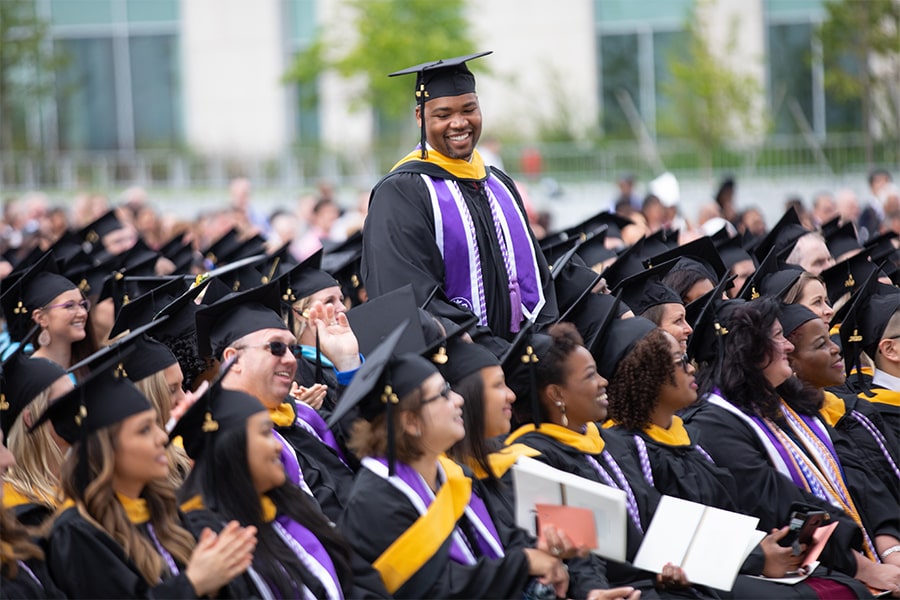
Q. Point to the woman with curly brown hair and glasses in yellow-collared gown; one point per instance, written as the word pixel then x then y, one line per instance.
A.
pixel 652 382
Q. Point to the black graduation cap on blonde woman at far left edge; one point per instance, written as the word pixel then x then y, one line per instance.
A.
pixel 21 380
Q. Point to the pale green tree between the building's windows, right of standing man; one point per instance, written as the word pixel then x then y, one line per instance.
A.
pixel 705 100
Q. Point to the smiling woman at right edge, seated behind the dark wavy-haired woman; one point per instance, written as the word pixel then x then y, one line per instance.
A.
pixel 817 364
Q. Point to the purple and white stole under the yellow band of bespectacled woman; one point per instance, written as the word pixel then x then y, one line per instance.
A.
pixel 410 483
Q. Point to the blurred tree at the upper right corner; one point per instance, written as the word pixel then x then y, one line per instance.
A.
pixel 861 53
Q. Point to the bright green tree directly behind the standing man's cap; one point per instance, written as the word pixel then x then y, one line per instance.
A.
pixel 388 35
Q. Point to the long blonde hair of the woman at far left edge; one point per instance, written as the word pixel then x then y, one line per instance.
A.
pixel 38 457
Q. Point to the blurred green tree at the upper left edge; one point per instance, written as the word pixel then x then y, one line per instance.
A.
pixel 27 62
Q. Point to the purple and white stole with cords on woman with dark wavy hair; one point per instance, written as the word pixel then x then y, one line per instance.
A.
pixel 820 475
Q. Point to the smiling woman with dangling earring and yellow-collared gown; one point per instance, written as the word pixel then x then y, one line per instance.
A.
pixel 572 400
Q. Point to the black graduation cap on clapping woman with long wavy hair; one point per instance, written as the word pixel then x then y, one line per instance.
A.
pixel 104 398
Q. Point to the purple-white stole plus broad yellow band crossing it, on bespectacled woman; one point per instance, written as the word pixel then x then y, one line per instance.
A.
pixel 439 514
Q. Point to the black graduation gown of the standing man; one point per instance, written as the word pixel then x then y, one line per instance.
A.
pixel 399 247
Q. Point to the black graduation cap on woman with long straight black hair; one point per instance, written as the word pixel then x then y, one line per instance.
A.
pixel 218 411
